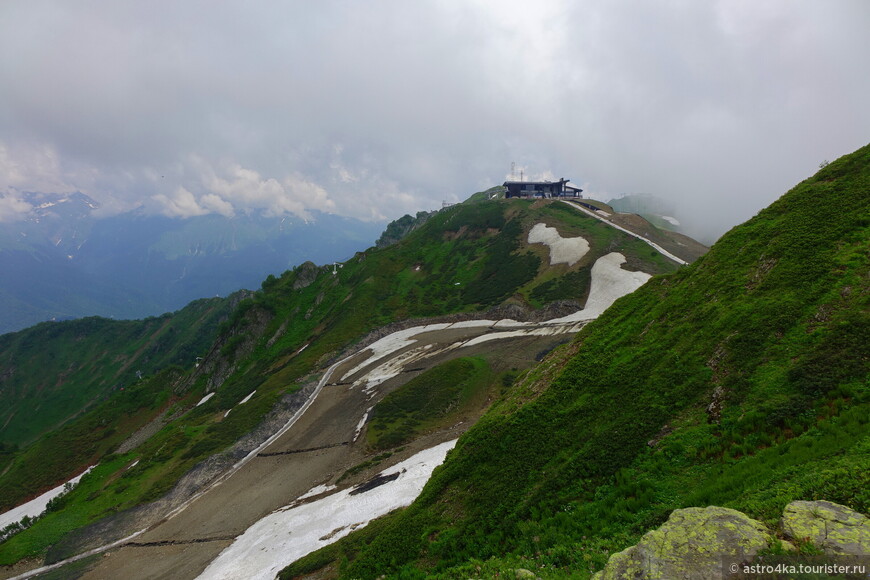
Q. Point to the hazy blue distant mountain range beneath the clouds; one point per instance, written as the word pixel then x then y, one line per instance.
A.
pixel 63 262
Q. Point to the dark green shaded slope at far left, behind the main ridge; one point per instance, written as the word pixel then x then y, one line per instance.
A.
pixel 54 371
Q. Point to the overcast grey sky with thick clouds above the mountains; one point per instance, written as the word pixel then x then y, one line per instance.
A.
pixel 374 109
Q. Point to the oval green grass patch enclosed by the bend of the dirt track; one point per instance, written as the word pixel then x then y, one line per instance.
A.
pixel 426 400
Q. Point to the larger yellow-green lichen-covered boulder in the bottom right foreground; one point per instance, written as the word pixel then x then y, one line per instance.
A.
pixel 691 544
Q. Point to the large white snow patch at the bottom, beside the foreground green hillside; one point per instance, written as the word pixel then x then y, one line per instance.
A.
pixel 286 535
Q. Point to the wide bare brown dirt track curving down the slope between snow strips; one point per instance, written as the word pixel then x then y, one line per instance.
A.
pixel 316 450
